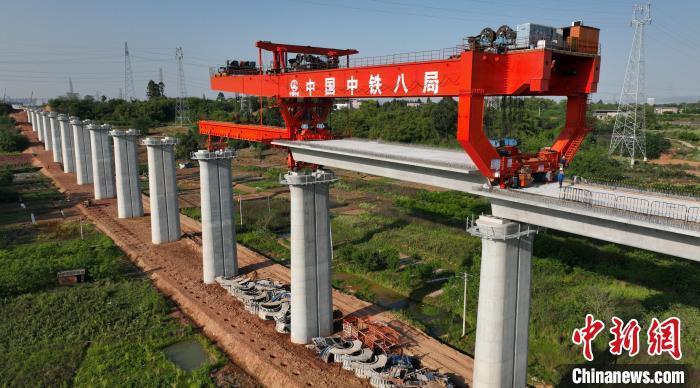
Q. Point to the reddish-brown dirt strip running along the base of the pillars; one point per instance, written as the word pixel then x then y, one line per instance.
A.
pixel 176 270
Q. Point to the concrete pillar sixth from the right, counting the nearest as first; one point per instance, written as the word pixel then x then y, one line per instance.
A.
pixel 102 161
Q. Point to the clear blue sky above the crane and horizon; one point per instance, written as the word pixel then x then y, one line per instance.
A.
pixel 43 43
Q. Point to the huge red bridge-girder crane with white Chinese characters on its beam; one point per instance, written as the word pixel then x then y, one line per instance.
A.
pixel 534 61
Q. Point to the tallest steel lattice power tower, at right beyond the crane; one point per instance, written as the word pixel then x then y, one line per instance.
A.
pixel 628 133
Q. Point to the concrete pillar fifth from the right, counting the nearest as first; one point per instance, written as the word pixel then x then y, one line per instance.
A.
pixel 126 167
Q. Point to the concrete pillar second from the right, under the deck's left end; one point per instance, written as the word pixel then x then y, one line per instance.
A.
pixel 311 304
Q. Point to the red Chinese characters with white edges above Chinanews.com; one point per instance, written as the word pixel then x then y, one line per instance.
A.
pixel 662 337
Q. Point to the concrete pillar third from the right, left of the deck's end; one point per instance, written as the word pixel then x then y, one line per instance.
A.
pixel 219 256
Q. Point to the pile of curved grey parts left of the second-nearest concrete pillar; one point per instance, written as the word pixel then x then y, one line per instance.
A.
pixel 266 298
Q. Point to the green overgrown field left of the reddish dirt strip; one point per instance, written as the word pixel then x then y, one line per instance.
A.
pixel 109 331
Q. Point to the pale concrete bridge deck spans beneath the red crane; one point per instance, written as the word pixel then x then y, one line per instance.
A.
pixel 646 220
